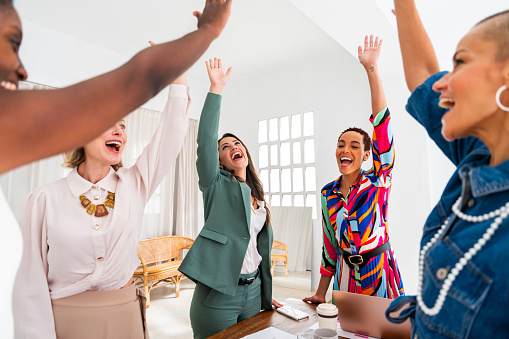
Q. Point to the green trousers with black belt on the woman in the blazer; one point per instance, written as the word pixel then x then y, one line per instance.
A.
pixel 212 311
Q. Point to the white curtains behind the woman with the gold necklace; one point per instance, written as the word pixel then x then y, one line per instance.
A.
pixel 174 207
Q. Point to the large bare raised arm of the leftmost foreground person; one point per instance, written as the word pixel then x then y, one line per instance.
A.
pixel 37 124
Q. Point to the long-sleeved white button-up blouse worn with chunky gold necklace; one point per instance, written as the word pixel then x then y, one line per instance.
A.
pixel 67 251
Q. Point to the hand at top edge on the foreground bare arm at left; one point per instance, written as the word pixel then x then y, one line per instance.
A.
pixel 215 15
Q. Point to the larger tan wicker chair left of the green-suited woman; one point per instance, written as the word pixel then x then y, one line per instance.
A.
pixel 159 262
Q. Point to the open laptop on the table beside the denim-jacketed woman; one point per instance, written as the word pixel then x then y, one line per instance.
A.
pixel 364 314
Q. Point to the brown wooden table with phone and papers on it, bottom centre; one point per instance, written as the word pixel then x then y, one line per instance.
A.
pixel 272 318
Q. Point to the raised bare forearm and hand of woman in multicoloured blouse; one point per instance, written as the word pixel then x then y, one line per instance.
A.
pixel 368 58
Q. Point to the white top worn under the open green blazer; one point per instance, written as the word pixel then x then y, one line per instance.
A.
pixel 253 258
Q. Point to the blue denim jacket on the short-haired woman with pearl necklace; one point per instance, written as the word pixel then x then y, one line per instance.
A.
pixel 477 304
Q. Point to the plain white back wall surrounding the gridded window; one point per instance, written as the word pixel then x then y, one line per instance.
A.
pixel 335 88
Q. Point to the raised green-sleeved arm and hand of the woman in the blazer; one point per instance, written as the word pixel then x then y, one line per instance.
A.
pixel 207 162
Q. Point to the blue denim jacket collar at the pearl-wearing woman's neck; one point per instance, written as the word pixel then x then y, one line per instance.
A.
pixel 483 178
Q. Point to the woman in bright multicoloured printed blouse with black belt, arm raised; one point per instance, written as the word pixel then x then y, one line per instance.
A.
pixel 356 249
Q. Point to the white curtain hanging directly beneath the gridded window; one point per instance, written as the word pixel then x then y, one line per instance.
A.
pixel 293 226
